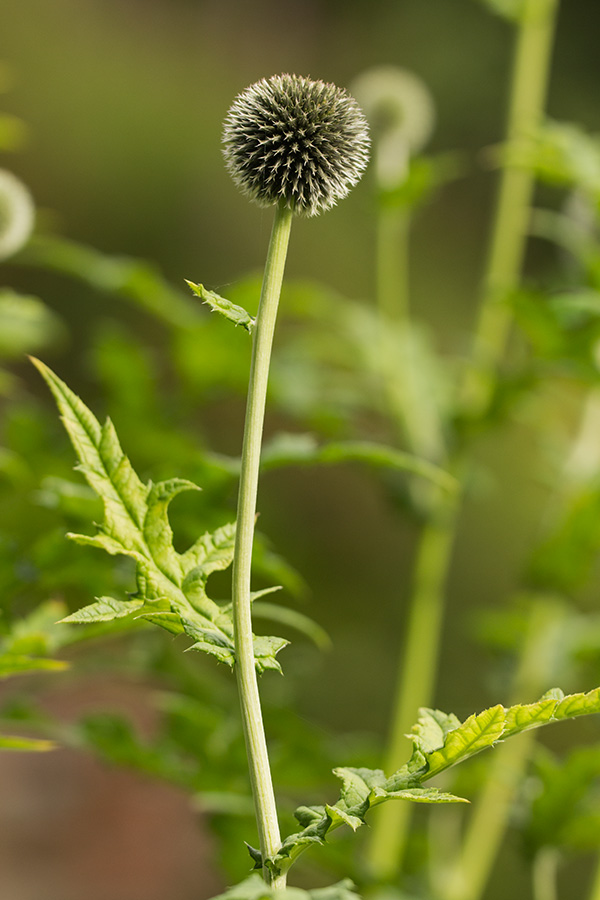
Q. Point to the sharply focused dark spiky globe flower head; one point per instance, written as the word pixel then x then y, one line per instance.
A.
pixel 293 140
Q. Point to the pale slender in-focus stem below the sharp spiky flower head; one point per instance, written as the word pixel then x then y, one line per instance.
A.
pixel 254 733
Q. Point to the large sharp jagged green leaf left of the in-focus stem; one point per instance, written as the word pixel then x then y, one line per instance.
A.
pixel 170 586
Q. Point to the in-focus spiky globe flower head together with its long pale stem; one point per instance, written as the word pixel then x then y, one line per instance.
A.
pixel 299 145
